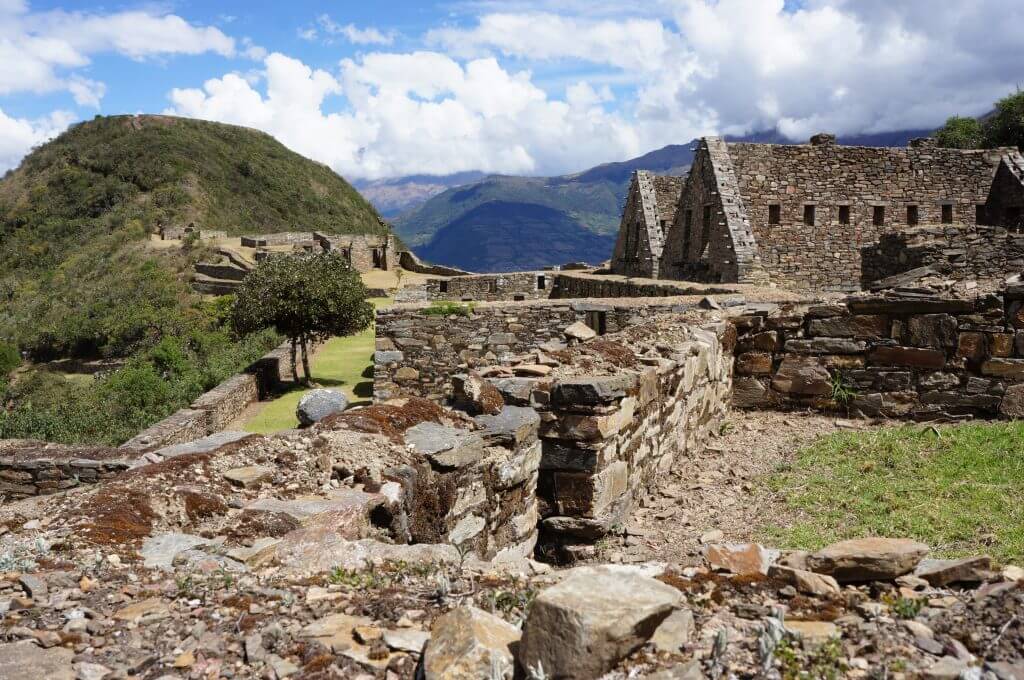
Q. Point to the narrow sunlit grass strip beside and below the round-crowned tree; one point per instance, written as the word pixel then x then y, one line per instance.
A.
pixel 340 364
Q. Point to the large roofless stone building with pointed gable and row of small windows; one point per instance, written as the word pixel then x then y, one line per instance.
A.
pixel 809 216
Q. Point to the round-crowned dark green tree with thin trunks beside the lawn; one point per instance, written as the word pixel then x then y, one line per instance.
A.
pixel 307 300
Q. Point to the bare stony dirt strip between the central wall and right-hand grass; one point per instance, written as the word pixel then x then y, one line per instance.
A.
pixel 720 489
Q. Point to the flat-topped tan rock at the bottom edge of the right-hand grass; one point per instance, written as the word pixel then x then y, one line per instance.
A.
pixel 868 560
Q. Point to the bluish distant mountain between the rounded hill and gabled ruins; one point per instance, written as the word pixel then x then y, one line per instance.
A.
pixel 589 201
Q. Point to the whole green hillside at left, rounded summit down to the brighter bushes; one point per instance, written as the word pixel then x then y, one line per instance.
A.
pixel 80 278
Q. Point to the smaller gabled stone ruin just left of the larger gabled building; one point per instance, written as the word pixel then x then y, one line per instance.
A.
pixel 651 210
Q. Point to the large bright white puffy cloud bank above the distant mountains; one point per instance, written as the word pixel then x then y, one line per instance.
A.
pixel 421 112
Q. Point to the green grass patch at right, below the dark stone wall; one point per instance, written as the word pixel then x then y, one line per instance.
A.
pixel 959 489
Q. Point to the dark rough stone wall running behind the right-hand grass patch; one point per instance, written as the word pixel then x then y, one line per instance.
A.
pixel 898 355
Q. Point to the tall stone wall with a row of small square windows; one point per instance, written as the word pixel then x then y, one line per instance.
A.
pixel 826 177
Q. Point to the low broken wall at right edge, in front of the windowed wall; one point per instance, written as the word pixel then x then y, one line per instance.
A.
pixel 984 254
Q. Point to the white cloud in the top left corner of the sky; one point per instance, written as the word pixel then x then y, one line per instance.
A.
pixel 44 52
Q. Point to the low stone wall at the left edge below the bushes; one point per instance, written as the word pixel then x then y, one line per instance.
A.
pixel 37 469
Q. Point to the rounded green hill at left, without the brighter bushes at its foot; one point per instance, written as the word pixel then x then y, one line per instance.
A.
pixel 77 273
